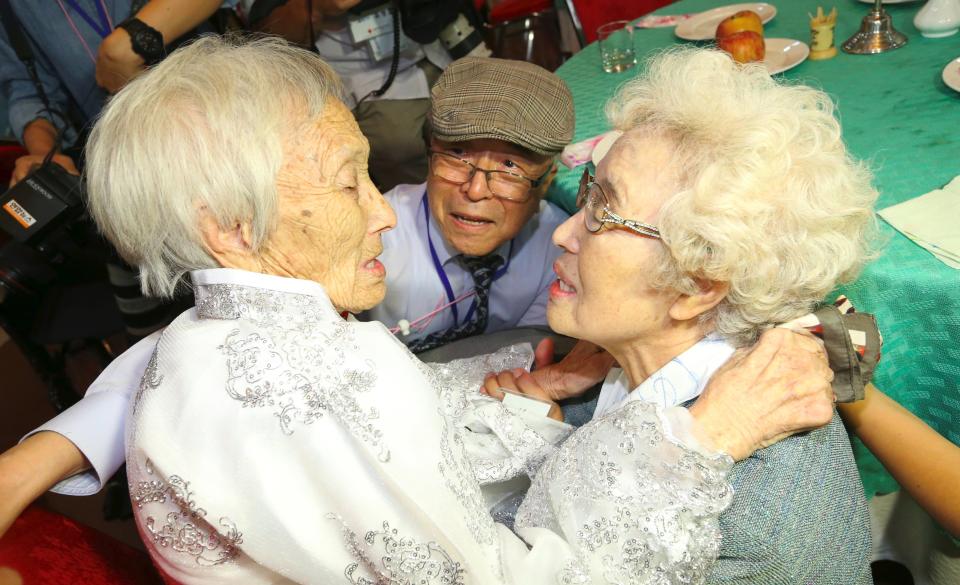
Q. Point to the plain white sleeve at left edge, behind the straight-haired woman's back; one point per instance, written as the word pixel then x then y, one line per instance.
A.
pixel 96 423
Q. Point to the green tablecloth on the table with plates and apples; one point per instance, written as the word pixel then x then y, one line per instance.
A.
pixel 897 114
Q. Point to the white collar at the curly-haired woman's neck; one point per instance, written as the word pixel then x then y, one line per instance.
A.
pixel 682 379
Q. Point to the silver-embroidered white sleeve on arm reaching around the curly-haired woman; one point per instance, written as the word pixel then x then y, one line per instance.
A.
pixel 645 508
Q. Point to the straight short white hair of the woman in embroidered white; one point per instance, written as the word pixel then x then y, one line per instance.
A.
pixel 204 128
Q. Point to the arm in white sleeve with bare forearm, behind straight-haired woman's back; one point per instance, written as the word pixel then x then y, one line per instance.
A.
pixel 79 449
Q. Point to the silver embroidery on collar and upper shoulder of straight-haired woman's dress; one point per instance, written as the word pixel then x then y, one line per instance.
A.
pixel 293 369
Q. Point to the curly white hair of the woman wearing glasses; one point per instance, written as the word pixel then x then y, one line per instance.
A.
pixel 769 199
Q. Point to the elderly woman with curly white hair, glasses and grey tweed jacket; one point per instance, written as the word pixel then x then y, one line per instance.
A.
pixel 729 204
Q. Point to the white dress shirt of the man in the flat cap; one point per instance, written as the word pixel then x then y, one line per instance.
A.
pixel 518 297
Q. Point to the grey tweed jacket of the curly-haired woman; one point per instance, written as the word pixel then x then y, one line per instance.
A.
pixel 798 515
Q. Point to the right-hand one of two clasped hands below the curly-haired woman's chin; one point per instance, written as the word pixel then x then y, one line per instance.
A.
pixel 585 366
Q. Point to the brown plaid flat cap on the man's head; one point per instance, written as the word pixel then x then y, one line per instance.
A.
pixel 513 101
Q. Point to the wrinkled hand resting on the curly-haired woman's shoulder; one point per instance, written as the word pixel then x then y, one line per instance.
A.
pixel 778 388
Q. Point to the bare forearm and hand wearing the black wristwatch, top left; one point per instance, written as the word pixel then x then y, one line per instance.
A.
pixel 117 63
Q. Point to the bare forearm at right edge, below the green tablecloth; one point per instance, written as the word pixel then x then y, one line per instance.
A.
pixel 922 461
